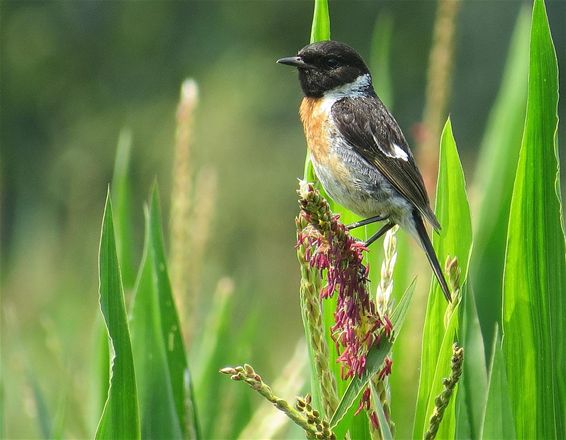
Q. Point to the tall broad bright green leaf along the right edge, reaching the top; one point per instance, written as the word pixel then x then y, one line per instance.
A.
pixel 534 282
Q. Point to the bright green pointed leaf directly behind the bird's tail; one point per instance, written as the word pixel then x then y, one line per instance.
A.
pixel 454 240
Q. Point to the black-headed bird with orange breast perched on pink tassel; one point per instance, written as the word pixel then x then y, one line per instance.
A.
pixel 357 149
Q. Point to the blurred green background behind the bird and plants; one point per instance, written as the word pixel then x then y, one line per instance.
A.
pixel 73 74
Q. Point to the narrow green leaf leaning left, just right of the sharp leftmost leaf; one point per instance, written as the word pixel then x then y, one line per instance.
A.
pixel 180 376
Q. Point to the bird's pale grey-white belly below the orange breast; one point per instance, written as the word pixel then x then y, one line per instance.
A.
pixel 357 186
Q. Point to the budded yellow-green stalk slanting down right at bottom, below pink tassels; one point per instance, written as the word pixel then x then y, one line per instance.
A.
pixel 303 415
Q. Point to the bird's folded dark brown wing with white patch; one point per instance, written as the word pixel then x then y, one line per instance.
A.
pixel 372 132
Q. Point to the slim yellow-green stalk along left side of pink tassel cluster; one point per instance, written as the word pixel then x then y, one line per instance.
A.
pixel 312 320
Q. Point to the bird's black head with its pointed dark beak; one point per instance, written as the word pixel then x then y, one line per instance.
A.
pixel 327 65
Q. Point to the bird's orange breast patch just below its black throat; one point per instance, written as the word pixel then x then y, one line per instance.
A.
pixel 315 123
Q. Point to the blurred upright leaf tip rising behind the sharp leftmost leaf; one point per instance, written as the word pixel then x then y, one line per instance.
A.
pixel 121 198
